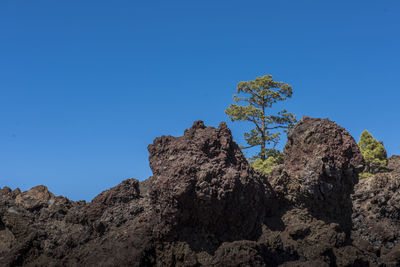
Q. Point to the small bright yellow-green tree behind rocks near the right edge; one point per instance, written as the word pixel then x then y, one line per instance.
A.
pixel 373 151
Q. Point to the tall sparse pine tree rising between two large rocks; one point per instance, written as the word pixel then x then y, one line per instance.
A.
pixel 260 95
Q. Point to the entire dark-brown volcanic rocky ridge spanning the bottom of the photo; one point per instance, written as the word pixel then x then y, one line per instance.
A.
pixel 206 206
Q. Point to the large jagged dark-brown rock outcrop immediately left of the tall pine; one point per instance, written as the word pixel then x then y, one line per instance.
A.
pixel 203 186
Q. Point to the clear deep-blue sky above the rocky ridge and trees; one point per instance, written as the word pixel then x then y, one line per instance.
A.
pixel 85 86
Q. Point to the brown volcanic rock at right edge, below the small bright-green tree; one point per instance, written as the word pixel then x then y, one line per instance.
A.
pixel 376 215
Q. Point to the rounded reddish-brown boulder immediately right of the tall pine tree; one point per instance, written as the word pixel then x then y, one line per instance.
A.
pixel 321 166
